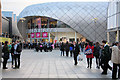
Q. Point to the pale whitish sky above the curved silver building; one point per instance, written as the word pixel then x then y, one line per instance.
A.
pixel 18 5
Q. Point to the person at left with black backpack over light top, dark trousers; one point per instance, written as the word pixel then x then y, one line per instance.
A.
pixel 17 53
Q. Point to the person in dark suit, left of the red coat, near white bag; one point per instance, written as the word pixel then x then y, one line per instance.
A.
pixel 76 51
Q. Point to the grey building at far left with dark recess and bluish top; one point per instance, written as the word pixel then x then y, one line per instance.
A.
pixel 9 26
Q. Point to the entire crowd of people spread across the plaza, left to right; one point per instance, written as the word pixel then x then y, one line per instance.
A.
pixel 104 53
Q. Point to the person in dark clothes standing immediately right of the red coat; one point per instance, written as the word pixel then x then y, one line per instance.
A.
pixel 96 53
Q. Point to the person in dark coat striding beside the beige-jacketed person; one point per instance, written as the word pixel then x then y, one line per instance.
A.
pixel 105 58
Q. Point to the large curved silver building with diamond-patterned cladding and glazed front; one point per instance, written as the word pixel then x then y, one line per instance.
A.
pixel 88 20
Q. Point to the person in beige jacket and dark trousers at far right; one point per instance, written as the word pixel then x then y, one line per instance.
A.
pixel 115 60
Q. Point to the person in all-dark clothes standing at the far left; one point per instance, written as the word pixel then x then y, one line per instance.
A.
pixel 6 54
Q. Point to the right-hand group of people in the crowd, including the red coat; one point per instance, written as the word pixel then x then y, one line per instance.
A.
pixel 104 53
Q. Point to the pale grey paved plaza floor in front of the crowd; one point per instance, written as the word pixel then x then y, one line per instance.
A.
pixel 51 65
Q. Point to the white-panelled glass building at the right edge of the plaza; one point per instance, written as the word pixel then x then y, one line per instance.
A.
pixel 113 21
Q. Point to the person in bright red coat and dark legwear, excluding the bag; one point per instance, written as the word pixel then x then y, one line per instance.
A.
pixel 89 57
